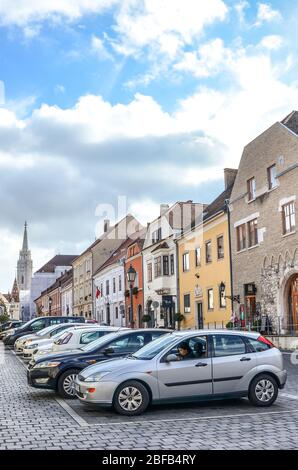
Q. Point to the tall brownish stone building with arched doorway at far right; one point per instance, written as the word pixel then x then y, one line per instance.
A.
pixel 264 237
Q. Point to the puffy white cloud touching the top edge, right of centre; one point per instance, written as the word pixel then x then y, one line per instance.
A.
pixel 164 25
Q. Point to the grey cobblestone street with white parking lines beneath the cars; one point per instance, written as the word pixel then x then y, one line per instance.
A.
pixel 33 419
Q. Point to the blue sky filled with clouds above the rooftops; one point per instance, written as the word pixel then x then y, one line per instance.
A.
pixel 138 101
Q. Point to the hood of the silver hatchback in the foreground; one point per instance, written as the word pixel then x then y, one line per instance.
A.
pixel 112 365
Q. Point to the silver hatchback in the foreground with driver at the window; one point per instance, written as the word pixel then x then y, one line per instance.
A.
pixel 187 366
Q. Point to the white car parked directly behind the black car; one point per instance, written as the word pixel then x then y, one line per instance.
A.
pixel 73 338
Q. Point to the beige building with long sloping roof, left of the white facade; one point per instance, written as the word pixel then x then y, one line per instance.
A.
pixel 89 262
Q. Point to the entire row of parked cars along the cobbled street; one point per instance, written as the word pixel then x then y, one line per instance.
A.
pixel 129 369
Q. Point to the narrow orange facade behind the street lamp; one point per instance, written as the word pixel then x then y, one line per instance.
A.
pixel 134 258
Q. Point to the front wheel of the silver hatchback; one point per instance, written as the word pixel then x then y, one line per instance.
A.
pixel 131 398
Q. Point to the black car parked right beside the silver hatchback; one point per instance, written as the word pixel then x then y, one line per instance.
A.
pixel 58 371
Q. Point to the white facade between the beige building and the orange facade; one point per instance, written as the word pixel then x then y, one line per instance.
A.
pixel 110 305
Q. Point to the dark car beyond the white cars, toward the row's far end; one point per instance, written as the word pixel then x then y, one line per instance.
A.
pixel 37 324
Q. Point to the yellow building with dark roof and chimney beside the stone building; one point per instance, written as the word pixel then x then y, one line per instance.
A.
pixel 204 266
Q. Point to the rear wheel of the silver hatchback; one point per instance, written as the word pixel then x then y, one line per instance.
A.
pixel 263 390
